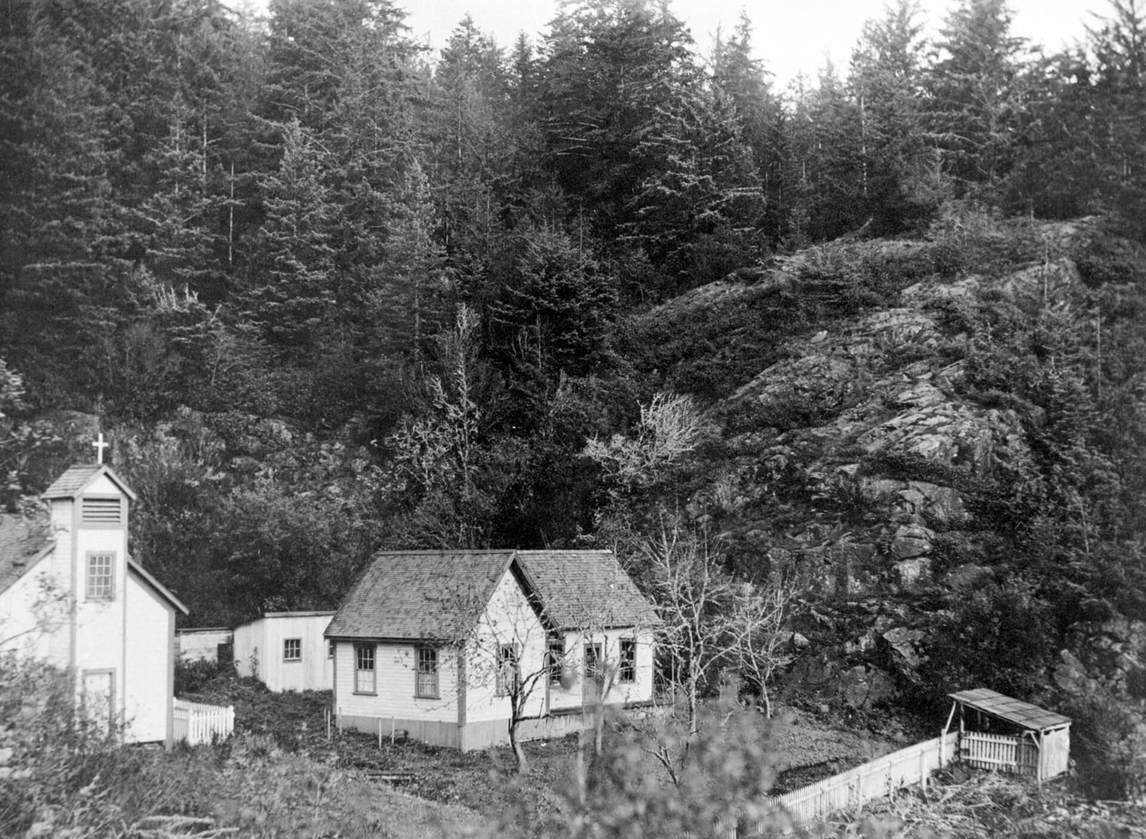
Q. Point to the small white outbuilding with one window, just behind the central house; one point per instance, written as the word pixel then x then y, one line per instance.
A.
pixel 286 650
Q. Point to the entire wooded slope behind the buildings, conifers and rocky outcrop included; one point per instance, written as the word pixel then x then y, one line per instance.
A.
pixel 875 339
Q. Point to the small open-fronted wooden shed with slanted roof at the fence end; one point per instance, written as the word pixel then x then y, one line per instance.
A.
pixel 1009 735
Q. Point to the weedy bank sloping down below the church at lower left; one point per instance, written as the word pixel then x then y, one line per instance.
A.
pixel 60 780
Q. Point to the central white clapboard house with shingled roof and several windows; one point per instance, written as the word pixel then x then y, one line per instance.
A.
pixel 427 644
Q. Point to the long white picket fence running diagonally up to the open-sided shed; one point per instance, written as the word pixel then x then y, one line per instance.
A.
pixel 874 780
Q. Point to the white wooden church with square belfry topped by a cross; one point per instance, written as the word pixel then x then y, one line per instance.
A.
pixel 73 597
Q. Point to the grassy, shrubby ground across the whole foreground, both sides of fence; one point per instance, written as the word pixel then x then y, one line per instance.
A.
pixel 281 777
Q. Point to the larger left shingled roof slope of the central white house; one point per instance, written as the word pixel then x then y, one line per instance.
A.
pixel 420 595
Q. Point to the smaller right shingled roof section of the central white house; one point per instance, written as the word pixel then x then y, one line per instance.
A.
pixel 586 589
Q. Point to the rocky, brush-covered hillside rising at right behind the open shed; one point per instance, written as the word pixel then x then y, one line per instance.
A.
pixel 941 438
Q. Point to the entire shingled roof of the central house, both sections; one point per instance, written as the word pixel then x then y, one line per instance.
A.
pixel 441 595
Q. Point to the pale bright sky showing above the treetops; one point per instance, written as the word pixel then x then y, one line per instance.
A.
pixel 790 36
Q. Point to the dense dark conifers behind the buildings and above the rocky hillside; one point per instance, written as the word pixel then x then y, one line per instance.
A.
pixel 333 293
